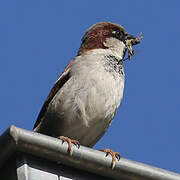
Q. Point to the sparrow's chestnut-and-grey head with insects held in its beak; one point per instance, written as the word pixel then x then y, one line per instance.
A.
pixel 106 35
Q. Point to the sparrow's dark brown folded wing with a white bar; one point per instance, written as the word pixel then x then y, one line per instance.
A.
pixel 58 84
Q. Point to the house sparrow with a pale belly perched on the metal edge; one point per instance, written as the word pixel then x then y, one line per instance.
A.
pixel 86 96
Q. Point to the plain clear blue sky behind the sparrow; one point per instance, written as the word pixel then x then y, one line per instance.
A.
pixel 39 37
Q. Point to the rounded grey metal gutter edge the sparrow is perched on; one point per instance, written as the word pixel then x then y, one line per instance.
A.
pixel 17 139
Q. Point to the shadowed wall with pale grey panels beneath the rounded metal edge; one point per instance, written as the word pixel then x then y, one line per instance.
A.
pixel 33 168
